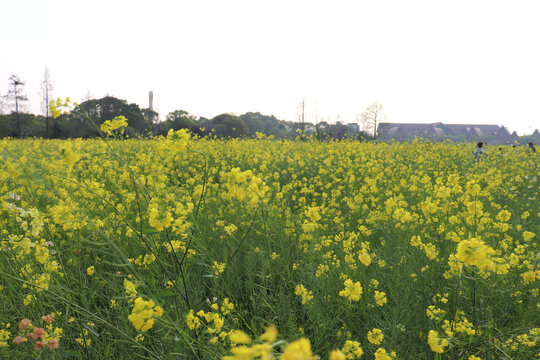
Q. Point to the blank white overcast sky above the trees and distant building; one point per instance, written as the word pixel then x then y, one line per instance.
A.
pixel 459 61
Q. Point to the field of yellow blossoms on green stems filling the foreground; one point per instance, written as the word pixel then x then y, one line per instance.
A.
pixel 182 248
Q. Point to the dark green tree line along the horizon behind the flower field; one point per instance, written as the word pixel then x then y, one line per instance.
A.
pixel 84 119
